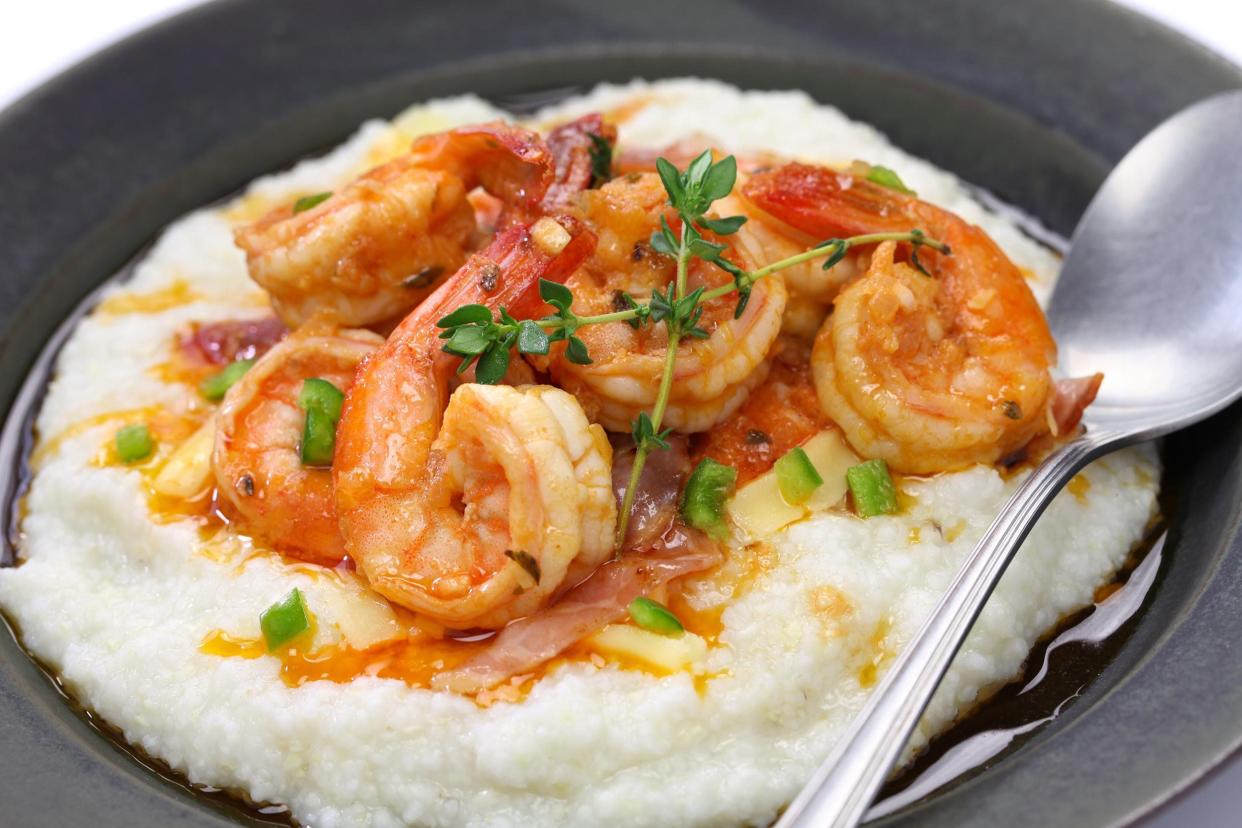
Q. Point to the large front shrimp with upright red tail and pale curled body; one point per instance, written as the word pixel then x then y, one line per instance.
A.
pixel 483 512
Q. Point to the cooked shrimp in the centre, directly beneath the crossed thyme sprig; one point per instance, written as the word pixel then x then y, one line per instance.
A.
pixel 712 376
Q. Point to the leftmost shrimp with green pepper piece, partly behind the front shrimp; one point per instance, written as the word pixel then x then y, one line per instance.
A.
pixel 259 429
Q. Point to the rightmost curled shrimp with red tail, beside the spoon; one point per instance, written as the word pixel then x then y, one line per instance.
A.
pixel 931 374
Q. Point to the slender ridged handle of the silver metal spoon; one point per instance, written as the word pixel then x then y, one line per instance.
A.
pixel 849 780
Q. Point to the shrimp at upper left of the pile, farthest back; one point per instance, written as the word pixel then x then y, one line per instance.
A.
pixel 374 250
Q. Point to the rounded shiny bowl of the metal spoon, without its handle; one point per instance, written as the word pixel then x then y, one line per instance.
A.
pixel 1152 291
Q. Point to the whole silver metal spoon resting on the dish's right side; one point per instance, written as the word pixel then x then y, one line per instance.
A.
pixel 1152 296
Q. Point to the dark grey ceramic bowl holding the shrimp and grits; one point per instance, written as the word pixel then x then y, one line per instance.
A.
pixel 1033 101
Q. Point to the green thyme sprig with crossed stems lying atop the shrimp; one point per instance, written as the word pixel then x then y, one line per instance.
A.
pixel 478 338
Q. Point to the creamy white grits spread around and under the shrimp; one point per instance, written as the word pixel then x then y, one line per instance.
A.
pixel 119 604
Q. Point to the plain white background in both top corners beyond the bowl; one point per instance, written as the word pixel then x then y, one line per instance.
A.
pixel 42 38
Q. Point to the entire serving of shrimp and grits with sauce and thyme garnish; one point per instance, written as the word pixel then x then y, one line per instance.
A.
pixel 583 470
